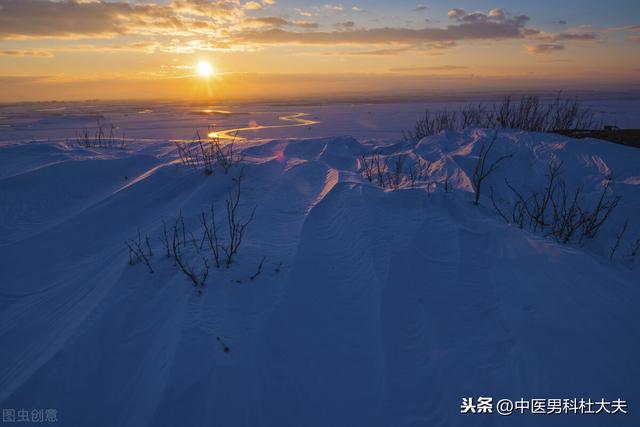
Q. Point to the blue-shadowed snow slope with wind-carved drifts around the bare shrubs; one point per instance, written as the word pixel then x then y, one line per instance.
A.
pixel 374 308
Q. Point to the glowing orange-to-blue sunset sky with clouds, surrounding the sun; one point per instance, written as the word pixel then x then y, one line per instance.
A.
pixel 272 49
